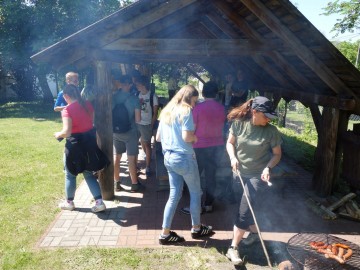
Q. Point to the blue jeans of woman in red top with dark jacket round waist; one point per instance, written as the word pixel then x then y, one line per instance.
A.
pixel 70 184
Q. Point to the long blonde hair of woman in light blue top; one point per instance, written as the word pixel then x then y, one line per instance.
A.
pixel 179 105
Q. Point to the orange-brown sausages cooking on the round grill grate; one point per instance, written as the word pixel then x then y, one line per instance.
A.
pixel 336 251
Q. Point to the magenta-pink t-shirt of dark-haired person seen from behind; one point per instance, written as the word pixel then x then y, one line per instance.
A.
pixel 209 117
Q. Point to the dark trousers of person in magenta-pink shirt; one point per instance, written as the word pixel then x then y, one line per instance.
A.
pixel 208 159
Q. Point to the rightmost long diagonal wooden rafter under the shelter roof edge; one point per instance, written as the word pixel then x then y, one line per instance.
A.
pixel 275 25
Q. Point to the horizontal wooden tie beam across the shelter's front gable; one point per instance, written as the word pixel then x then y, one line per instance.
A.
pixel 191 46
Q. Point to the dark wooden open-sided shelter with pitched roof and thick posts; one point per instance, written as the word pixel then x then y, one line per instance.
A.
pixel 281 51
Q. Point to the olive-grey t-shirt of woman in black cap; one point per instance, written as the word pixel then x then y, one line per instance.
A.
pixel 253 145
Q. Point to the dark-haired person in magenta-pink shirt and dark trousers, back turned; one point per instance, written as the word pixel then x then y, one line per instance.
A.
pixel 209 117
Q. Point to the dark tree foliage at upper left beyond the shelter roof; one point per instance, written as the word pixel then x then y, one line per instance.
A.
pixel 27 26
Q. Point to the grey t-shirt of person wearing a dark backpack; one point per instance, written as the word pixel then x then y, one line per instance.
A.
pixel 131 103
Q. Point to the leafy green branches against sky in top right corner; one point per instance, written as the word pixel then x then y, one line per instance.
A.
pixel 350 12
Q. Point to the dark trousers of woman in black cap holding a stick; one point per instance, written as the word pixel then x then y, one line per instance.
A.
pixel 244 218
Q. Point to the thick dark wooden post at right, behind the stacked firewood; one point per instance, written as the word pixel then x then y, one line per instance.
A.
pixel 323 178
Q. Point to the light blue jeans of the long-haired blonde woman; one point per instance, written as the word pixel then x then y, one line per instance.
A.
pixel 182 167
